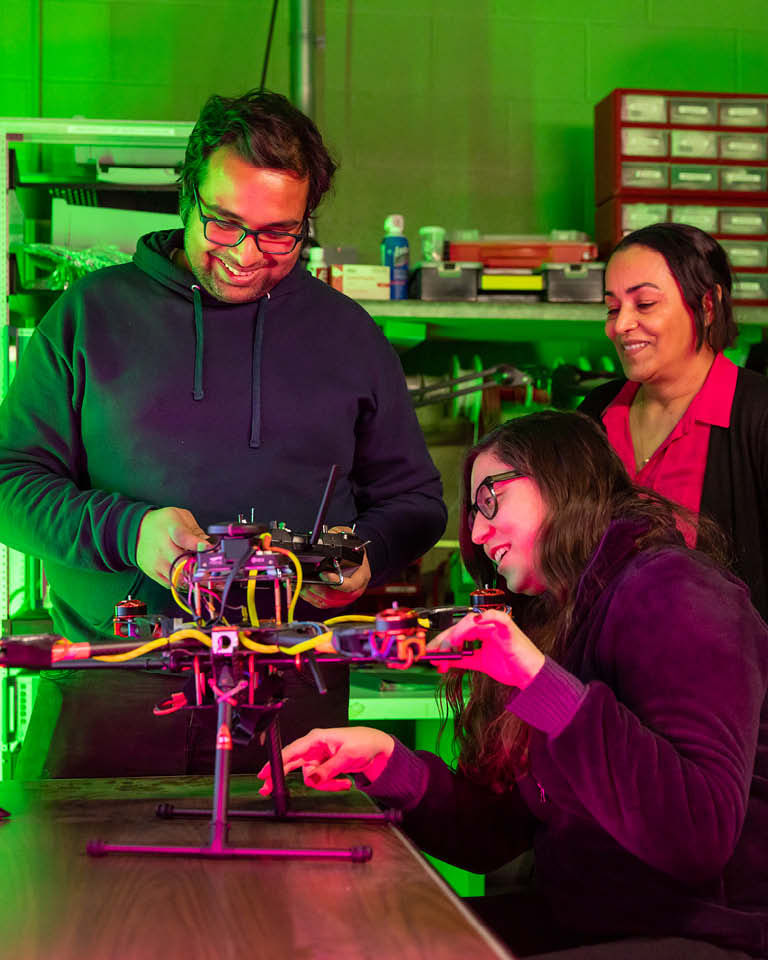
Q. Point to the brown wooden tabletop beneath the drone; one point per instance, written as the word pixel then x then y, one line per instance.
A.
pixel 58 903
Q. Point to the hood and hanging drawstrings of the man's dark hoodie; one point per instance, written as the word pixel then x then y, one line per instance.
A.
pixel 153 257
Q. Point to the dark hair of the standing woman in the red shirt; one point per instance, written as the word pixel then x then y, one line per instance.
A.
pixel 700 266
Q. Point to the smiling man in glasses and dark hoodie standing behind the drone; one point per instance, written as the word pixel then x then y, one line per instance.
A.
pixel 212 377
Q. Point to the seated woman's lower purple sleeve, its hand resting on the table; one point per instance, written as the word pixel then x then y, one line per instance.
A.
pixel 448 815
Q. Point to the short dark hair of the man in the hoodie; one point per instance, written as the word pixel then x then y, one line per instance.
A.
pixel 267 131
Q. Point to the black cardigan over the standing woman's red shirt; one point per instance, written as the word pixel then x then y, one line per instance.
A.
pixel 735 491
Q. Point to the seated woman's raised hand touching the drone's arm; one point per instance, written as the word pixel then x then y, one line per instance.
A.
pixel 504 651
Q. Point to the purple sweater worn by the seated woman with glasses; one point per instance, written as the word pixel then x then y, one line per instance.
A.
pixel 646 800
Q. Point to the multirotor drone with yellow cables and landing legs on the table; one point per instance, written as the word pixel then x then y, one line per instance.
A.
pixel 235 659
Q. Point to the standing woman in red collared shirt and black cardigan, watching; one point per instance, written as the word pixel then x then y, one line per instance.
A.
pixel 687 422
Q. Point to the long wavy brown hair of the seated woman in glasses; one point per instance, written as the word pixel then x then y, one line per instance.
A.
pixel 584 487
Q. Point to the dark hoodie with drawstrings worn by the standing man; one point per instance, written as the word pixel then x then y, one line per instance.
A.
pixel 140 390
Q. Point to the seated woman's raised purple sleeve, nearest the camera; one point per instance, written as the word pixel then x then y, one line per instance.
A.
pixel 660 751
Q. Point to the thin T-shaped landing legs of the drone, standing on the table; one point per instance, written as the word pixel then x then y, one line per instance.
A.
pixel 219 825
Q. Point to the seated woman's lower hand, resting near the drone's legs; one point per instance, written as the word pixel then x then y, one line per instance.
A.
pixel 324 755
